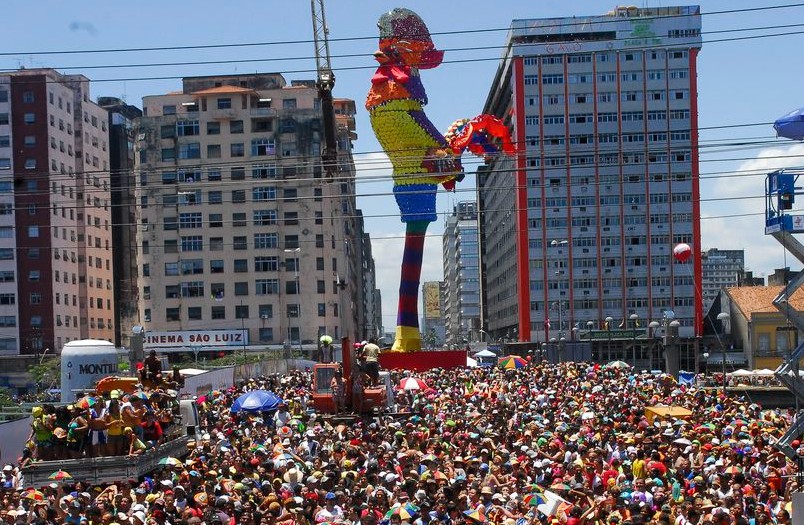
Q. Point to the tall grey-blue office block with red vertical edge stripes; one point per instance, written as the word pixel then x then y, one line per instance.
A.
pixel 581 225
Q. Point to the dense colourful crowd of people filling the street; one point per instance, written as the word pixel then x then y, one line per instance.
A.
pixel 544 444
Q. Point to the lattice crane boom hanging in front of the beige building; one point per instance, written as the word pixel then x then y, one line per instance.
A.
pixel 325 83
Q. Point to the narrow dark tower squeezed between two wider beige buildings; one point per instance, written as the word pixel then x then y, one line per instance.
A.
pixel 124 217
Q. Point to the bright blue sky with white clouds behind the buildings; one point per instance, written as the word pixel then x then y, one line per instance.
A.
pixel 741 82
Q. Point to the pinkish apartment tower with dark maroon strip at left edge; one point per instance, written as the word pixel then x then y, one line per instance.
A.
pixel 55 213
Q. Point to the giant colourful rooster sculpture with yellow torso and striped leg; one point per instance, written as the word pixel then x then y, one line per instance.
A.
pixel 422 158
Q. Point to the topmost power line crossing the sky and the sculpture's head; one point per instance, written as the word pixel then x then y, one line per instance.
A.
pixel 373 37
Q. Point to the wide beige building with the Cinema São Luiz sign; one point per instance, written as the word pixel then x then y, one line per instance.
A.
pixel 239 231
